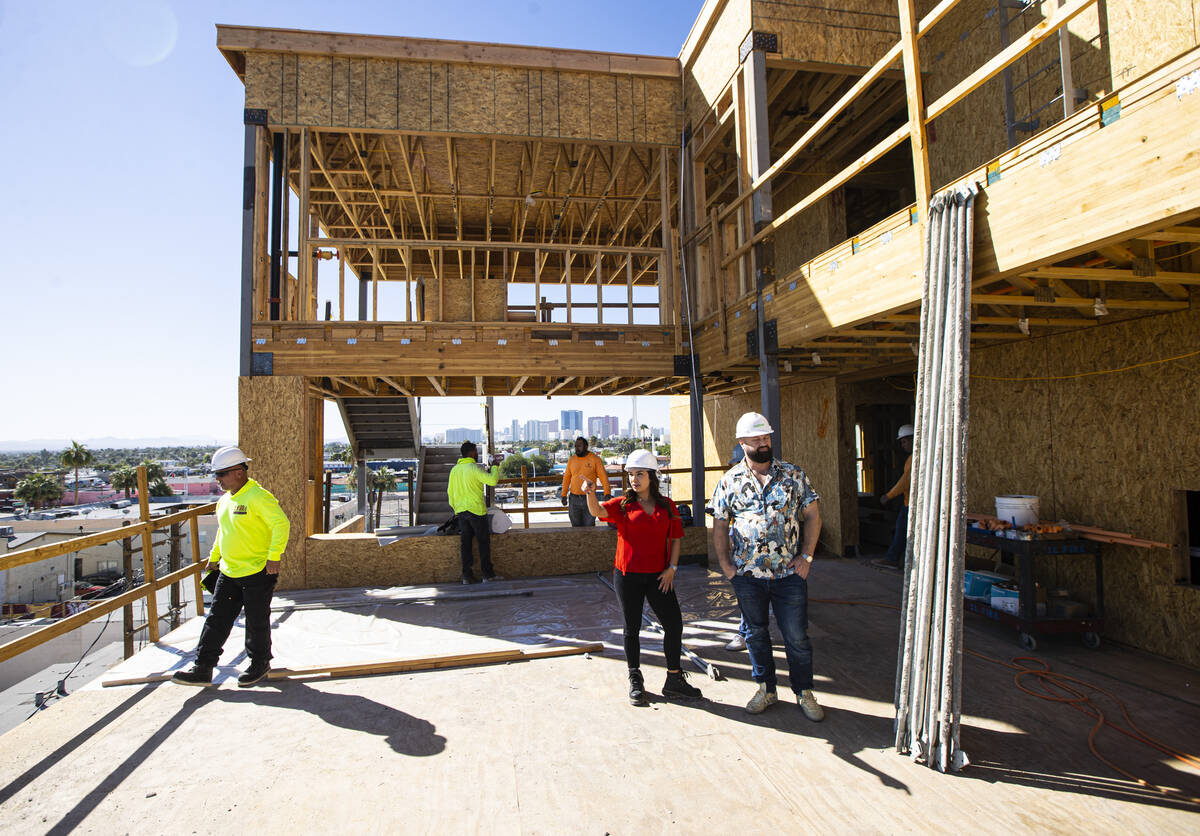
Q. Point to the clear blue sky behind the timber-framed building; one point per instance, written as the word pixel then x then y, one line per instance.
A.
pixel 122 183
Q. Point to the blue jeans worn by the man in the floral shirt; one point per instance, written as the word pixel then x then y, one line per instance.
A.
pixel 789 598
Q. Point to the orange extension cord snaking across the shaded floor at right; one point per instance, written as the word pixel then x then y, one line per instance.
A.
pixel 1079 701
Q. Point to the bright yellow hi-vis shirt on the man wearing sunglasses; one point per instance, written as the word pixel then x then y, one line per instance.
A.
pixel 251 531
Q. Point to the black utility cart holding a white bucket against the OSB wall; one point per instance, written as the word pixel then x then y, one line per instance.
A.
pixel 1027 620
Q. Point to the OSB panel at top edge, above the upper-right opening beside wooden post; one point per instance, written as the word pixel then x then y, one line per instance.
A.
pixel 854 33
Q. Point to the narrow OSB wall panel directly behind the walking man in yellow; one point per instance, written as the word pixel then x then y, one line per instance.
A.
pixel 271 431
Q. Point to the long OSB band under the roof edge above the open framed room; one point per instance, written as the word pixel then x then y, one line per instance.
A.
pixel 383 94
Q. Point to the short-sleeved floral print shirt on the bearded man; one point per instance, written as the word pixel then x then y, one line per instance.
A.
pixel 765 520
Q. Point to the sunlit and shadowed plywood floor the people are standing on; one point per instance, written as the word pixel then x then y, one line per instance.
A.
pixel 551 747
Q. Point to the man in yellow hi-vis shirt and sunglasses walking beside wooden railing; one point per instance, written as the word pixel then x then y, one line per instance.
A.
pixel 253 533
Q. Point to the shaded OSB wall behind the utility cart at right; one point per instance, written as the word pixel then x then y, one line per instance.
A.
pixel 1106 450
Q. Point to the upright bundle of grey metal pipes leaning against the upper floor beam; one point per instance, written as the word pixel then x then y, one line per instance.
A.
pixel 928 694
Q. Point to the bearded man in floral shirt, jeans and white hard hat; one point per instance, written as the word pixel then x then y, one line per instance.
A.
pixel 763 507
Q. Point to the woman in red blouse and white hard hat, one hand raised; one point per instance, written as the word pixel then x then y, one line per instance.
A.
pixel 649 534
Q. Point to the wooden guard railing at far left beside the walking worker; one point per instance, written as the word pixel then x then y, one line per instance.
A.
pixel 147 591
